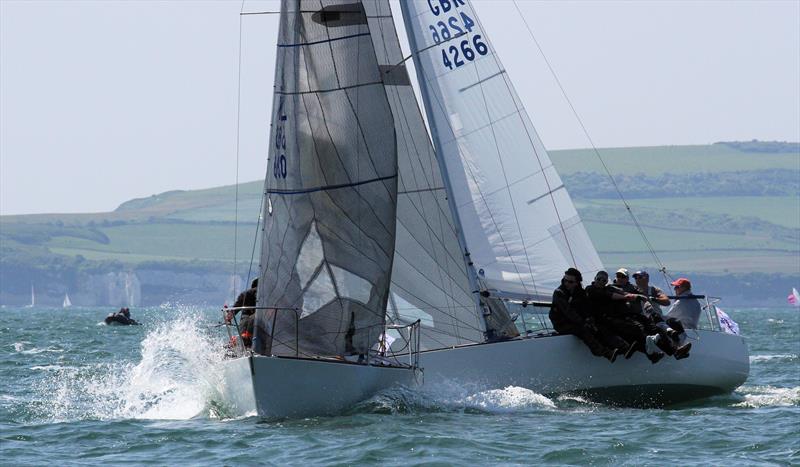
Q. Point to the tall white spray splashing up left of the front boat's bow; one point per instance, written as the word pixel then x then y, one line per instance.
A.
pixel 178 377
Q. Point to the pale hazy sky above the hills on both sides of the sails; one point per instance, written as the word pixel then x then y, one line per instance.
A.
pixel 105 101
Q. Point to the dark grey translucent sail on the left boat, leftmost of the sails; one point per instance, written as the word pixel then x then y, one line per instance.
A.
pixel 329 221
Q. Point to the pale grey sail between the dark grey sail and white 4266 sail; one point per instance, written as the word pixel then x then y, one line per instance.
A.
pixel 429 276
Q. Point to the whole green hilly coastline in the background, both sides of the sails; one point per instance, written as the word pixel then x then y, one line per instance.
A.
pixel 726 208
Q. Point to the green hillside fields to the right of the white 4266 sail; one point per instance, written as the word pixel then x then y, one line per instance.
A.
pixel 713 234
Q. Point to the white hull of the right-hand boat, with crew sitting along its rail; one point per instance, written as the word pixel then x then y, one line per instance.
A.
pixel 718 364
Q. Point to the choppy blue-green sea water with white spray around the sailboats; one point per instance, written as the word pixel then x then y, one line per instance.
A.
pixel 74 391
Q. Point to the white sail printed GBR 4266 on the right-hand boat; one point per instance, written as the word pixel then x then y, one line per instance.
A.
pixel 519 223
